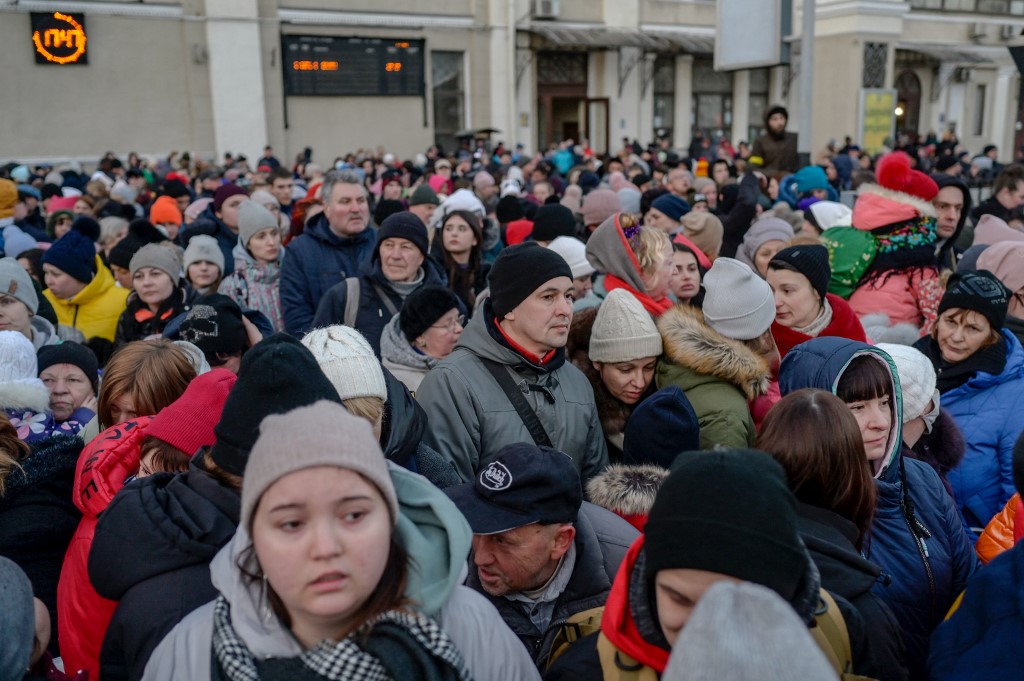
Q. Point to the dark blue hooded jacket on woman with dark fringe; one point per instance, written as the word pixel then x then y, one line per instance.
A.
pixel 918 538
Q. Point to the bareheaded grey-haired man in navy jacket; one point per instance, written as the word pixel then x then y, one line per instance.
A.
pixel 334 247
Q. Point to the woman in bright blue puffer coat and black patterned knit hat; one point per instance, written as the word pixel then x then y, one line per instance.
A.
pixel 980 370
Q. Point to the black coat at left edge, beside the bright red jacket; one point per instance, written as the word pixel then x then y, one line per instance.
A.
pixel 38 519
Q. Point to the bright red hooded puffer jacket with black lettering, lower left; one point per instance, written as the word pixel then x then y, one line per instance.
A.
pixel 82 615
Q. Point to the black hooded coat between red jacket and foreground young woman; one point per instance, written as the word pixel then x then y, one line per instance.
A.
pixel 152 552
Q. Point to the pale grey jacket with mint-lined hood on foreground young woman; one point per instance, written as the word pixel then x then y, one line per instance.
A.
pixel 432 529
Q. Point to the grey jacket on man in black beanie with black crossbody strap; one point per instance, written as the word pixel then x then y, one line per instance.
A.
pixel 472 417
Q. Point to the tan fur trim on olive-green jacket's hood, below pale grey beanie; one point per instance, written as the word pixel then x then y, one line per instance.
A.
pixel 692 344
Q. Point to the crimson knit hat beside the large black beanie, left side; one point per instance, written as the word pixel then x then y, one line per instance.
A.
pixel 188 422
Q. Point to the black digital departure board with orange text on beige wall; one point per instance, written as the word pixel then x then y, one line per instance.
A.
pixel 328 66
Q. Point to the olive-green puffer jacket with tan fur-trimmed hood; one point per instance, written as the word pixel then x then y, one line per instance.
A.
pixel 718 375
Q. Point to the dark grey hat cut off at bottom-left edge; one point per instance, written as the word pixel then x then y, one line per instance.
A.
pixel 18 621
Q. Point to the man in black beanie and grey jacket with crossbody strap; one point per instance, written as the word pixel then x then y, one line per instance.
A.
pixel 507 381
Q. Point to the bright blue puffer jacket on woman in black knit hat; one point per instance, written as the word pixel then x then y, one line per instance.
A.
pixel 988 410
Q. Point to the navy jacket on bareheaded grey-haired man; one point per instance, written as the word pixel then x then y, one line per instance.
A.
pixel 316 262
